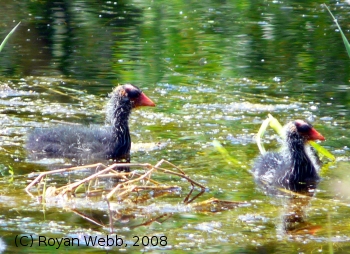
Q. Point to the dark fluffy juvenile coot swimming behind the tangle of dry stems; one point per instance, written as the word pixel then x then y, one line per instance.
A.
pixel 82 142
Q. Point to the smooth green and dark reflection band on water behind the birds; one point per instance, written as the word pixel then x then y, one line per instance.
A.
pixel 143 40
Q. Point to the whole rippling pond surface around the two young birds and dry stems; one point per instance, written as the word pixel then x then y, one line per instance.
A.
pixel 215 70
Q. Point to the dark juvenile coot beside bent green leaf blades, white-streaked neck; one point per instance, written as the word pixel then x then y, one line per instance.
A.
pixel 296 166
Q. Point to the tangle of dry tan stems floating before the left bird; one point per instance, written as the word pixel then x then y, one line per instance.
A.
pixel 126 182
